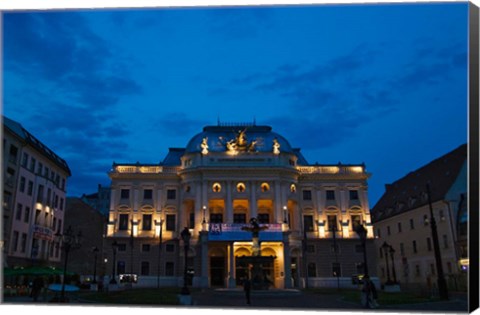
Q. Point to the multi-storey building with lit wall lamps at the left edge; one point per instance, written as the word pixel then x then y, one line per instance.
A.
pixel 34 189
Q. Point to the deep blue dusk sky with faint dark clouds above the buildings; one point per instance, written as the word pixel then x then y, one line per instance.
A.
pixel 384 84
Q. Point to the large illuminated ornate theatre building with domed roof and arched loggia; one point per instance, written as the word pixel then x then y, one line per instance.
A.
pixel 226 175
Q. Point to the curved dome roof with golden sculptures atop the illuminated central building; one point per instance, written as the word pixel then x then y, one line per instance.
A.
pixel 247 138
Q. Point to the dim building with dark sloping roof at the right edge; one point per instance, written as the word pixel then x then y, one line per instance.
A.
pixel 402 220
